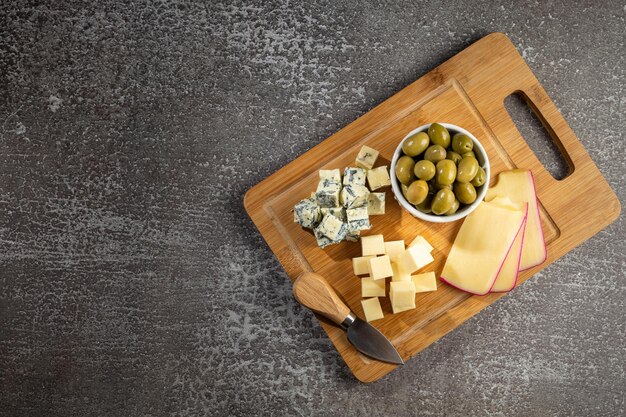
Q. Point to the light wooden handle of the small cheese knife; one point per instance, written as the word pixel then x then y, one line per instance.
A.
pixel 314 292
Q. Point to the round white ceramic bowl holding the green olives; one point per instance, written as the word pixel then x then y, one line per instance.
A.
pixel 483 160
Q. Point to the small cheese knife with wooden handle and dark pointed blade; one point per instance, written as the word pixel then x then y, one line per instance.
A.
pixel 314 292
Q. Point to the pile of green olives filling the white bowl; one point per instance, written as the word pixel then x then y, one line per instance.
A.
pixel 439 174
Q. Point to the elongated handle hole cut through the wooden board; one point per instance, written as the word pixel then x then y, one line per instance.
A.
pixel 538 138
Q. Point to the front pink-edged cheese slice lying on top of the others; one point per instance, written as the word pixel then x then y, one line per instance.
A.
pixel 482 244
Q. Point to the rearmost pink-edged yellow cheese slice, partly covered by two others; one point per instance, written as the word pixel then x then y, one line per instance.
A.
pixel 519 186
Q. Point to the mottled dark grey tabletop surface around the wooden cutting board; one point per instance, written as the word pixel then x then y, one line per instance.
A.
pixel 132 281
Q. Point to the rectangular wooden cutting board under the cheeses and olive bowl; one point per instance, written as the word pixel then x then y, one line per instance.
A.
pixel 468 90
